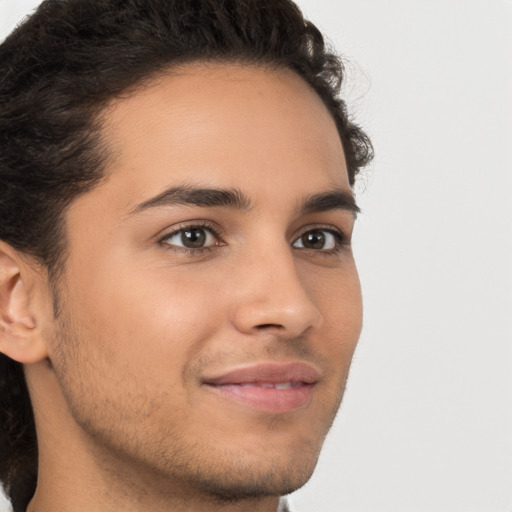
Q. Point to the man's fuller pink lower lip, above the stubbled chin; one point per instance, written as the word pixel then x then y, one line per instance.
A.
pixel 266 399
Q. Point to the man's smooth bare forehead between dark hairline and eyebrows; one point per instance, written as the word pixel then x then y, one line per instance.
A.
pixel 264 132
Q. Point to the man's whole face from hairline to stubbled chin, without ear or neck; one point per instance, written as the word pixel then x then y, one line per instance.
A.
pixel 206 337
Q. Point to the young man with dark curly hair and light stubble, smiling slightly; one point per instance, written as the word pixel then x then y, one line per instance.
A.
pixel 179 303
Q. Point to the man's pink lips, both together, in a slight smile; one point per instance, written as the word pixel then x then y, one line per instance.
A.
pixel 272 387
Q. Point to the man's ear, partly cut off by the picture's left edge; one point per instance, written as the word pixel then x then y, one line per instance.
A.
pixel 20 334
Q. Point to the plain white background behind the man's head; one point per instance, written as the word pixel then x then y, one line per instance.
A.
pixel 426 424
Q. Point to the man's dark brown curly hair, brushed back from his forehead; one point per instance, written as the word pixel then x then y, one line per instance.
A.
pixel 59 69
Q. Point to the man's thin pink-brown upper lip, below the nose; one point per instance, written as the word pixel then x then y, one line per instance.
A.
pixel 267 372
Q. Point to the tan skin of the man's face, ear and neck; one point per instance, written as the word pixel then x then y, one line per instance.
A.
pixel 124 421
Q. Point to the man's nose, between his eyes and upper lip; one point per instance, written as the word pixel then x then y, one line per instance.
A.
pixel 271 297
